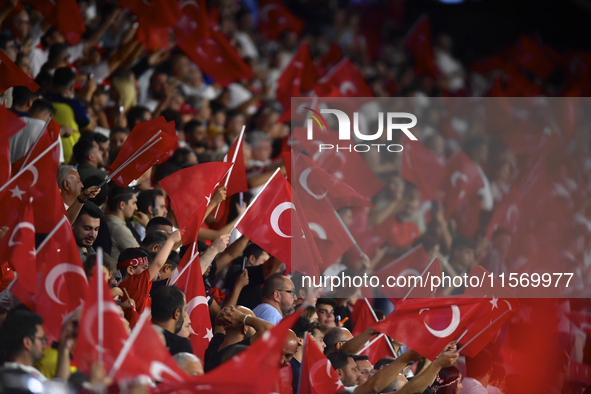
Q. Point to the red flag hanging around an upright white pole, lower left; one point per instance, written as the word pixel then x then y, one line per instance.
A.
pixel 114 333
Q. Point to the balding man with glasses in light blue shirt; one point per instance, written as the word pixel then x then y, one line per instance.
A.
pixel 278 299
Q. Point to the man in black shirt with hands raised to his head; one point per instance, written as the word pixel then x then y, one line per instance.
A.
pixel 242 328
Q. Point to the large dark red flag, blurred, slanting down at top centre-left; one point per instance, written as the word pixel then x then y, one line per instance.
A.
pixel 212 52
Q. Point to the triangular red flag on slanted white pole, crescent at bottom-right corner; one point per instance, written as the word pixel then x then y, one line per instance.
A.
pixel 145 355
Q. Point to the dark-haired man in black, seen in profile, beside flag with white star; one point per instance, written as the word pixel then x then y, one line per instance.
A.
pixel 169 308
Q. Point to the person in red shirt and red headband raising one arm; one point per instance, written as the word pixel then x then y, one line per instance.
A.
pixel 138 272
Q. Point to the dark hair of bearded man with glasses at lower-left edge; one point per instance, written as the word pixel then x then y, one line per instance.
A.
pixel 20 323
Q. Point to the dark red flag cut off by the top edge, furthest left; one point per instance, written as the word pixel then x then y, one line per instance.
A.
pixel 64 16
